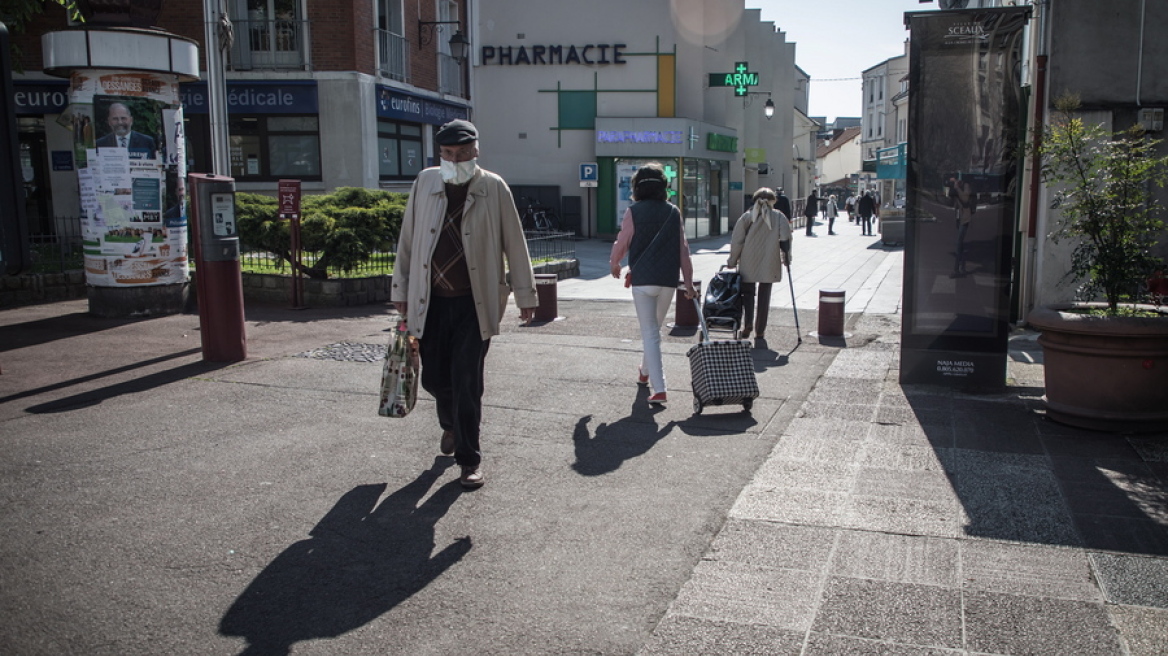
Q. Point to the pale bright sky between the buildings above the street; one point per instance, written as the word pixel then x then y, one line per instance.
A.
pixel 839 39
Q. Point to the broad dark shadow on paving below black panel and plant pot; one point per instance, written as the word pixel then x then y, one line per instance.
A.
pixel 1023 478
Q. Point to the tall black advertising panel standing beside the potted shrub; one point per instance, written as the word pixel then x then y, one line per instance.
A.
pixel 965 104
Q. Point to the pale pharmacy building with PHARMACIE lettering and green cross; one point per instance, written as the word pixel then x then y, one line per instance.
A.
pixel 618 85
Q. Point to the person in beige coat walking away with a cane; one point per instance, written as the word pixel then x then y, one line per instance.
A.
pixel 761 247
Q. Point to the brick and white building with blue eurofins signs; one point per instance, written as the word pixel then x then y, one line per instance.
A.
pixel 332 94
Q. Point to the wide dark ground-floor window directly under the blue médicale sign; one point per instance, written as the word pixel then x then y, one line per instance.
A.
pixel 274 146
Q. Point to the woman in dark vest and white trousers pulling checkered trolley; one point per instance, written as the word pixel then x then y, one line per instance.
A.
pixel 653 238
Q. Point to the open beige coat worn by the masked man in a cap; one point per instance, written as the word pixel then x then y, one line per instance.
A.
pixel 491 231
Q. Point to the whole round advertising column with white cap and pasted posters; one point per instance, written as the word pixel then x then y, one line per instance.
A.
pixel 127 121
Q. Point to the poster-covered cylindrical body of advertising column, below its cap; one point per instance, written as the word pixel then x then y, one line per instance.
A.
pixel 131 178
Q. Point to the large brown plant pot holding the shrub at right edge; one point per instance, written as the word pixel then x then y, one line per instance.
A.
pixel 1104 374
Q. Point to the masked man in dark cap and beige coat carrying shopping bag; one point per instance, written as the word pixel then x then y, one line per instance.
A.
pixel 461 235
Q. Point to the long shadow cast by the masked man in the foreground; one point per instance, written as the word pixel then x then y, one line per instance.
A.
pixel 363 560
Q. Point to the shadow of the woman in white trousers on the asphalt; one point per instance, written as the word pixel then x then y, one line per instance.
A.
pixel 607 449
